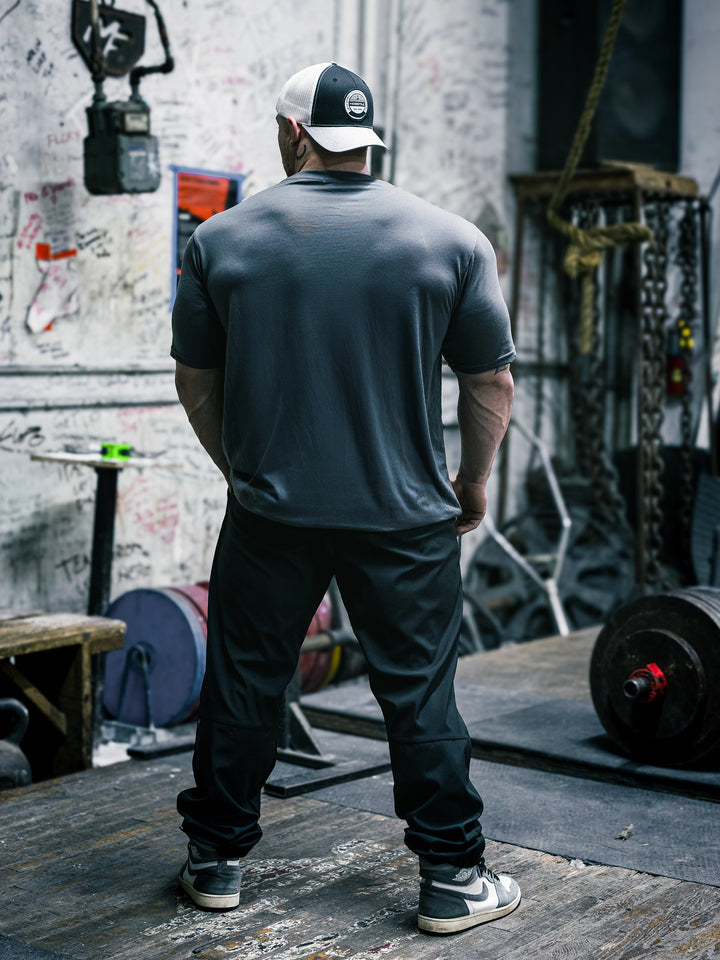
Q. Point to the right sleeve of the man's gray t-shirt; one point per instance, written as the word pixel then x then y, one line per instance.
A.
pixel 478 337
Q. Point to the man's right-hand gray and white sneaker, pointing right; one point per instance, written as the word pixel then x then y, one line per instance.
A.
pixel 456 898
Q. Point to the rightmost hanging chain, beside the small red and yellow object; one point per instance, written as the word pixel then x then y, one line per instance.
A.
pixel 688 262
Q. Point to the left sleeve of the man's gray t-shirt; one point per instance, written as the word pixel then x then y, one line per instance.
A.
pixel 198 336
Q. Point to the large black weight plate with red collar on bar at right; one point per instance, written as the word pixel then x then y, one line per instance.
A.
pixel 680 632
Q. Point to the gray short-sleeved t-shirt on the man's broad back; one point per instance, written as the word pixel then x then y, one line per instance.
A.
pixel 330 299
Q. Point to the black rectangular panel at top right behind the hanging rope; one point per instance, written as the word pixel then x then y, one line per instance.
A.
pixel 638 116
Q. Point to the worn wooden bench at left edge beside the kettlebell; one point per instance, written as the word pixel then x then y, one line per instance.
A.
pixel 46 663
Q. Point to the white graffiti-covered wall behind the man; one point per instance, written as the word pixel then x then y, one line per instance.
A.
pixel 85 280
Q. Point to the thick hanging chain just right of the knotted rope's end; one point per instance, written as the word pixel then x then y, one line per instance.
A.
pixel 652 384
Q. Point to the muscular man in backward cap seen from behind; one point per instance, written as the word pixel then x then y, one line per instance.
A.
pixel 309 330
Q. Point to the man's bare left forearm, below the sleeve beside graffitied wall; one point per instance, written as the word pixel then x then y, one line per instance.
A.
pixel 201 394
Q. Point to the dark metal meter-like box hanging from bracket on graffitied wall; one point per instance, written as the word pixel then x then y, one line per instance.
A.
pixel 121 155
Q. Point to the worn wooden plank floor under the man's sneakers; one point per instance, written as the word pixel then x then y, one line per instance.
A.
pixel 89 866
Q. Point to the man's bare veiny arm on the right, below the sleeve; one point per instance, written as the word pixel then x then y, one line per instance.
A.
pixel 484 407
